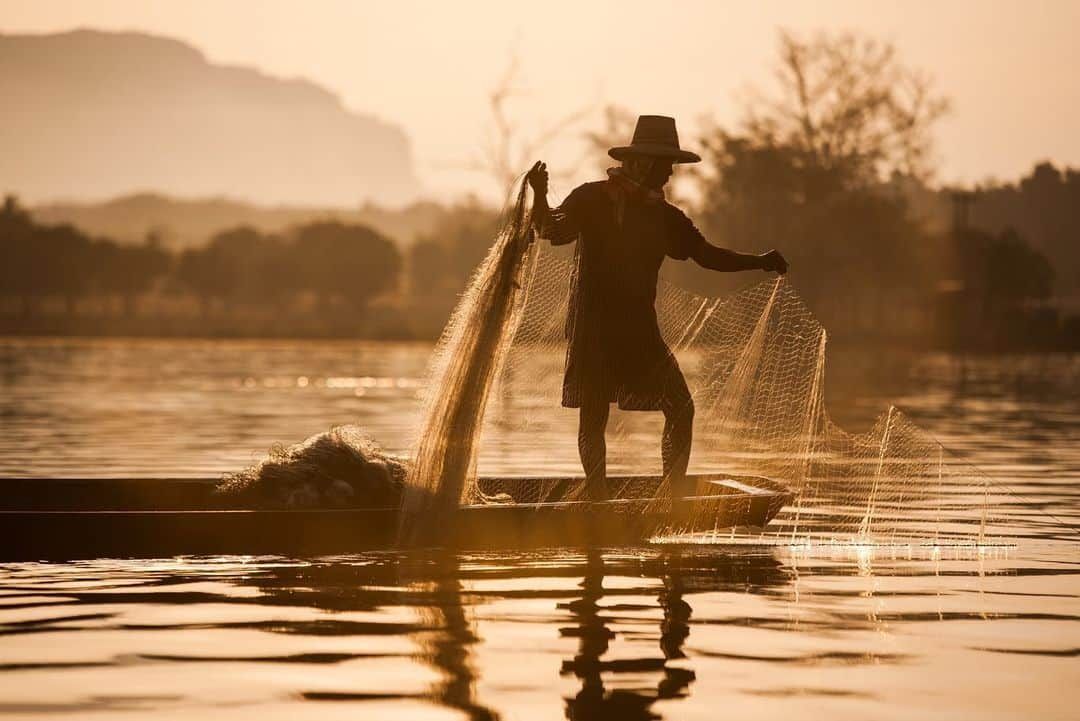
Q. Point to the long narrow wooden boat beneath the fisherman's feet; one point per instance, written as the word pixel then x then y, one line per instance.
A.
pixel 80 519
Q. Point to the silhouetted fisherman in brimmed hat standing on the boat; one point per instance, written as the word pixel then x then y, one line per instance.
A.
pixel 625 230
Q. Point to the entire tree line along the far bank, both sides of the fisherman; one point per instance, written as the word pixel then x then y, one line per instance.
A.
pixel 833 166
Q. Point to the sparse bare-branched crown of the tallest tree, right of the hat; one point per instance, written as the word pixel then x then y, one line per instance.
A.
pixel 847 100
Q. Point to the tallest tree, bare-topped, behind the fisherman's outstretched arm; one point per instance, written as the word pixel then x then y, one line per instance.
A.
pixel 814 171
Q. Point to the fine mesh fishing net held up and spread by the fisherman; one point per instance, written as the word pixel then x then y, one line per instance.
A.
pixel 755 364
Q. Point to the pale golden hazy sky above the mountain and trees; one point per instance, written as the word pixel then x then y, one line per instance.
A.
pixel 1009 67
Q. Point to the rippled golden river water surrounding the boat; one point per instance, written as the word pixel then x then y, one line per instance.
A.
pixel 703 633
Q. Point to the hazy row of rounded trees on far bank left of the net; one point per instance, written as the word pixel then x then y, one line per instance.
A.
pixel 319 277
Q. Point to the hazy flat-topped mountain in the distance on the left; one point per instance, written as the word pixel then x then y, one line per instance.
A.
pixel 91 115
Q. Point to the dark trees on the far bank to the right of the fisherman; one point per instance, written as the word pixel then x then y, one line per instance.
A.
pixel 834 166
